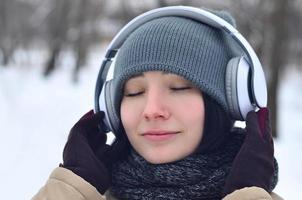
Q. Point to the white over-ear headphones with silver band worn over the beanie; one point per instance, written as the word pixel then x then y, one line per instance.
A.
pixel 245 81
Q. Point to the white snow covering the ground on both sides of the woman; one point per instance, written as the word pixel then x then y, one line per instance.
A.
pixel 36 115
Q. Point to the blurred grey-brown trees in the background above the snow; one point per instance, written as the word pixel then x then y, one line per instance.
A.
pixel 271 26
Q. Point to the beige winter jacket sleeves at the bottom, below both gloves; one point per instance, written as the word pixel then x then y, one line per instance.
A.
pixel 63 184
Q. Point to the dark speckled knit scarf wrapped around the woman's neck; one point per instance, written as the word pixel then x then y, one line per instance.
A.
pixel 198 176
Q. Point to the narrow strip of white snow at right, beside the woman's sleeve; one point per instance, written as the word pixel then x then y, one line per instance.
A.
pixel 288 146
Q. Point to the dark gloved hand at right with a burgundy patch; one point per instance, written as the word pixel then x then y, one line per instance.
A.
pixel 254 163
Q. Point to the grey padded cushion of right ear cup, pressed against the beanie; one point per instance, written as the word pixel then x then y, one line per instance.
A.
pixel 231 87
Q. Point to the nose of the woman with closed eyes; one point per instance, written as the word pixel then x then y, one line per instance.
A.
pixel 155 106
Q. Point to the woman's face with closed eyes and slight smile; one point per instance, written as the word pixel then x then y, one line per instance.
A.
pixel 163 116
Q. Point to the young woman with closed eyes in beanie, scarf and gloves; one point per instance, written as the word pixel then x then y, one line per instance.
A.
pixel 177 138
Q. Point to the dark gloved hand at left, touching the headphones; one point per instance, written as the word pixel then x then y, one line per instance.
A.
pixel 87 154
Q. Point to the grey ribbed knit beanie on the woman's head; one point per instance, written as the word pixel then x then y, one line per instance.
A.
pixel 182 46
